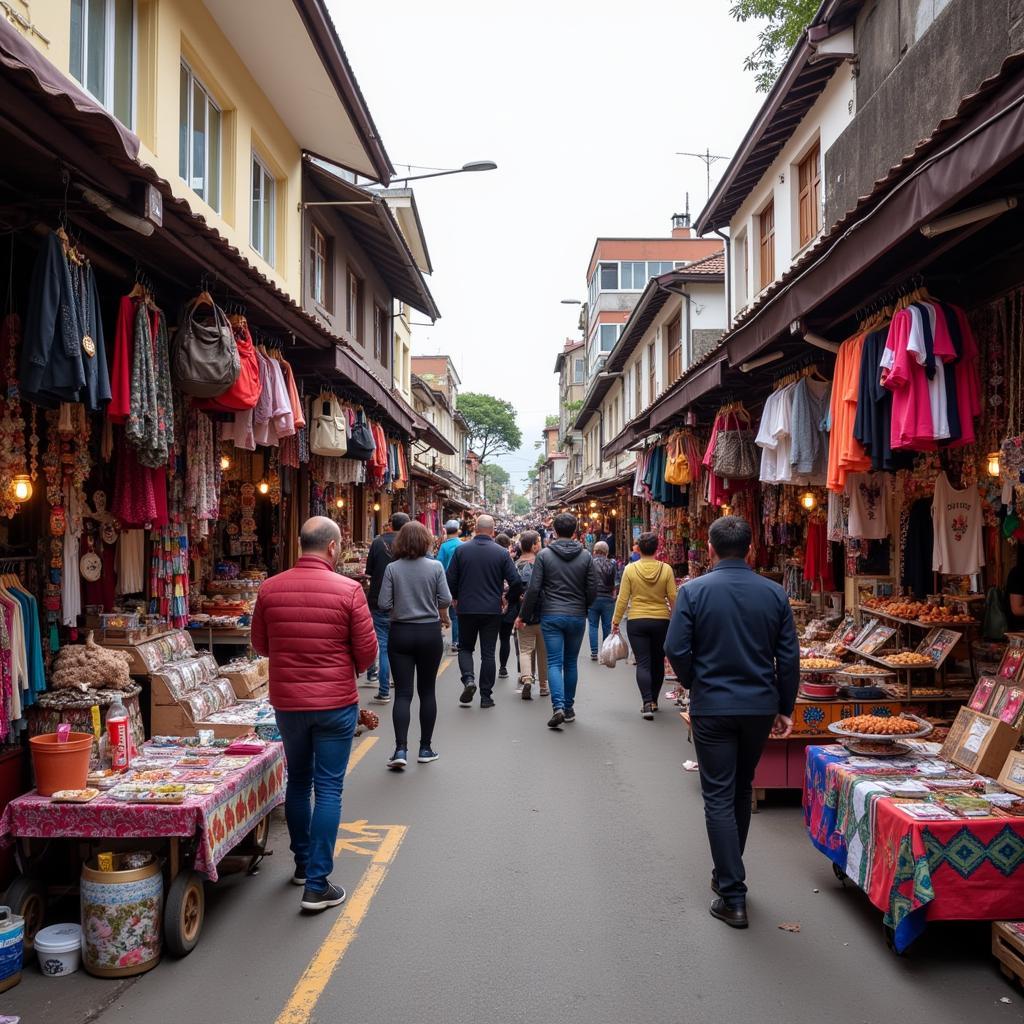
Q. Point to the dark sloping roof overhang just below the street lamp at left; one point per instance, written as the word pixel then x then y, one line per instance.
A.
pixel 374 227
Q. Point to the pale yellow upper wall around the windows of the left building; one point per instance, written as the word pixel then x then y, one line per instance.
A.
pixel 168 31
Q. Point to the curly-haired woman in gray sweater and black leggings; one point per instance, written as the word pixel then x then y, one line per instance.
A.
pixel 416 593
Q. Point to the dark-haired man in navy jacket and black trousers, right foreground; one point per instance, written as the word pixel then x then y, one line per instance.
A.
pixel 733 644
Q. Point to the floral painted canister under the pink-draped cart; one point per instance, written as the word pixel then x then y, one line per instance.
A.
pixel 122 915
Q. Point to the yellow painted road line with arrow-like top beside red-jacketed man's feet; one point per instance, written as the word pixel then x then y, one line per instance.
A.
pixel 315 979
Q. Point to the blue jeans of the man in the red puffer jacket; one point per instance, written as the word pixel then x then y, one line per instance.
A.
pixel 317 748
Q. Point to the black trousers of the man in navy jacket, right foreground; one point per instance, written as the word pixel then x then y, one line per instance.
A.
pixel 729 749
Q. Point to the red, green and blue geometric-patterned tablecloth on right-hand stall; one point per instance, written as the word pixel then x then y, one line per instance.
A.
pixel 913 871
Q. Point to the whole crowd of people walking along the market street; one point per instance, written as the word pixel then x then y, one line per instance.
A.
pixel 525 595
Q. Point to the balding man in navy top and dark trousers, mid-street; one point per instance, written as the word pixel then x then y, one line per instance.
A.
pixel 478 576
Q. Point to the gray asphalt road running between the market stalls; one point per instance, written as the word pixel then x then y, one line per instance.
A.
pixel 545 877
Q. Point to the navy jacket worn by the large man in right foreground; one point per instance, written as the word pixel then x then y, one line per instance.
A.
pixel 733 643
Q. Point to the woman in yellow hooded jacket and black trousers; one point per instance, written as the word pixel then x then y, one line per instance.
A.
pixel 648 590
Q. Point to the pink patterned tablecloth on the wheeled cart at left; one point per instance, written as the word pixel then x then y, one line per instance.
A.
pixel 221 821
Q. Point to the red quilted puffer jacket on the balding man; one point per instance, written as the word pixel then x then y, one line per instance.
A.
pixel 316 626
